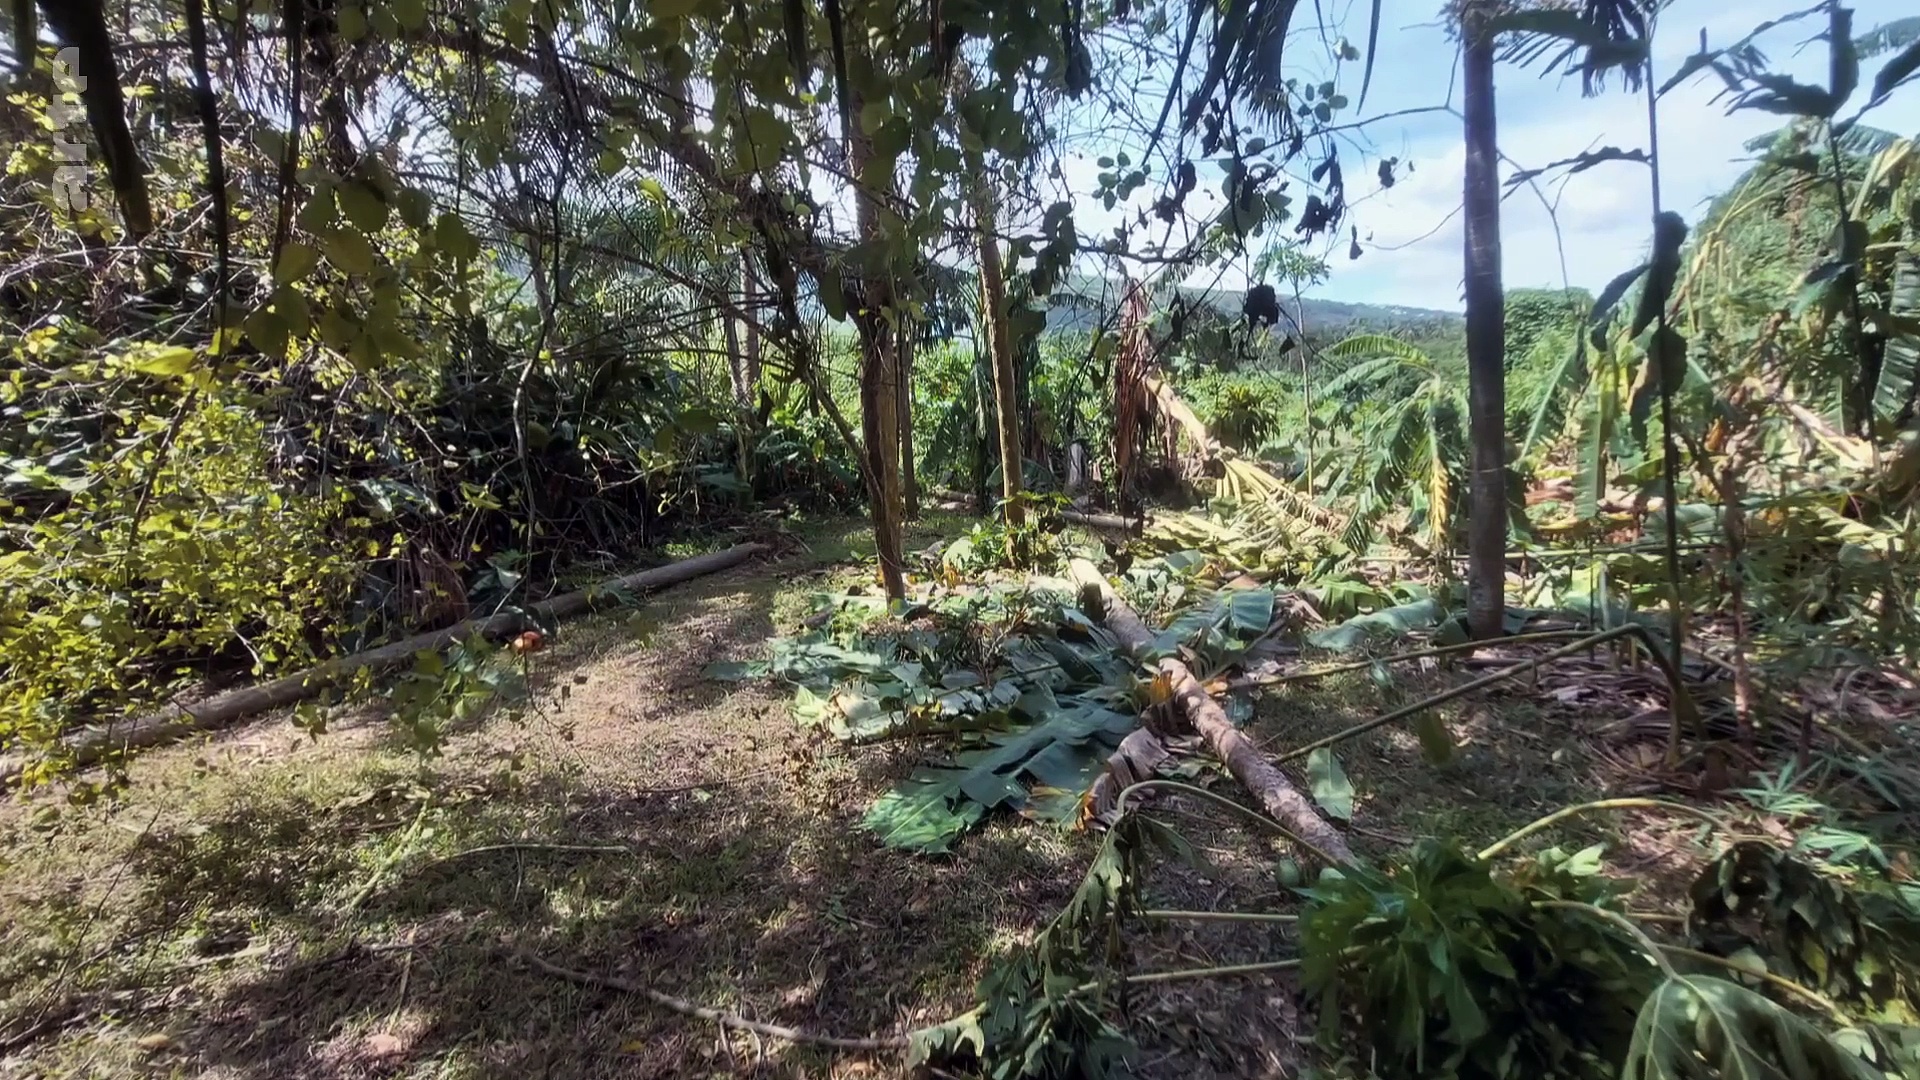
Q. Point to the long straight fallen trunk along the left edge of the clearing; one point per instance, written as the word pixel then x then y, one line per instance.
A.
pixel 180 722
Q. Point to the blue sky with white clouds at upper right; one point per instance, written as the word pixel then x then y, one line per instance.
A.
pixel 1604 214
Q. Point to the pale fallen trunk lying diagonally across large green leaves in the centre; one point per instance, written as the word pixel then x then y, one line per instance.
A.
pixel 1243 760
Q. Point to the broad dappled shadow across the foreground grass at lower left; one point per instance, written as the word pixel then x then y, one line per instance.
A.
pixel 740 900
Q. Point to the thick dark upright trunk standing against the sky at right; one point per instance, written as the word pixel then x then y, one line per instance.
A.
pixel 1487 364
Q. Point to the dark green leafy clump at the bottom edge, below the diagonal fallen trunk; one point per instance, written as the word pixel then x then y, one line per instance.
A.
pixel 1456 971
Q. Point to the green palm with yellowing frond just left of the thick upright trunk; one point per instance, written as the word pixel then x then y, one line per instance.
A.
pixel 1420 456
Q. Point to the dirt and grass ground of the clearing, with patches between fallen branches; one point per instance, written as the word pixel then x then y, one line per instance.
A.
pixel 276 906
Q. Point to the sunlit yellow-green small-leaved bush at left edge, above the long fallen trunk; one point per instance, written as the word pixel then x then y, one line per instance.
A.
pixel 130 562
